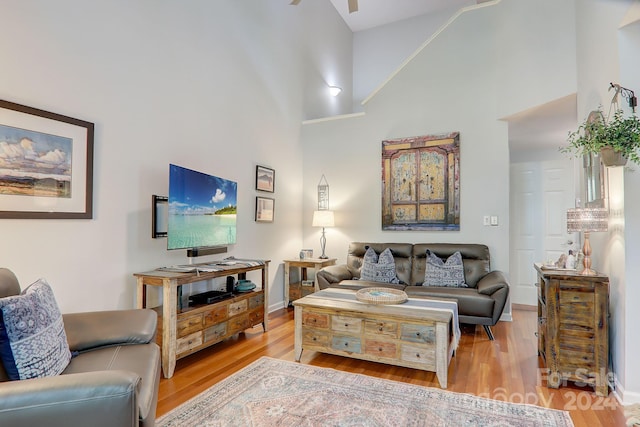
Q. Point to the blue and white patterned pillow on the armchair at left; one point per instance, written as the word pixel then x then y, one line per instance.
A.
pixel 32 338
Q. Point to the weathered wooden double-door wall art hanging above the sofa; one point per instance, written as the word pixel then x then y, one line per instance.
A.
pixel 421 183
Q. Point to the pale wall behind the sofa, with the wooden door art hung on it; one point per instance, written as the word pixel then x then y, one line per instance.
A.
pixel 453 84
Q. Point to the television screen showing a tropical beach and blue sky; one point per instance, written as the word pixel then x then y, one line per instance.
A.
pixel 202 209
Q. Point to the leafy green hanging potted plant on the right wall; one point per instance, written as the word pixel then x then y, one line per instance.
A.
pixel 616 140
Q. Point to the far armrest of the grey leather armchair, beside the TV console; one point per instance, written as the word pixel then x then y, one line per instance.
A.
pixel 103 328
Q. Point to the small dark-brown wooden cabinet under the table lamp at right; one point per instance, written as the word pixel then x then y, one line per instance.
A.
pixel 573 327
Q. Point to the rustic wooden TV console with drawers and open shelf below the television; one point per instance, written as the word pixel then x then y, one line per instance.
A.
pixel 185 330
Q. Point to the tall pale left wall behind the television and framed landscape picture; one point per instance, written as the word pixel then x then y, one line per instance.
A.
pixel 214 86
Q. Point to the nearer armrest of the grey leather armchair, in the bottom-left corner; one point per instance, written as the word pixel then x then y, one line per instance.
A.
pixel 101 398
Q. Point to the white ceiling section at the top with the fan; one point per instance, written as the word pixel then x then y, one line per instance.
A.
pixel 373 13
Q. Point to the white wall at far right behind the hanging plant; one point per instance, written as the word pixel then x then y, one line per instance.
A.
pixel 607 54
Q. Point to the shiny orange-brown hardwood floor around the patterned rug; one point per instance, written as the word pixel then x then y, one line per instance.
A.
pixel 504 369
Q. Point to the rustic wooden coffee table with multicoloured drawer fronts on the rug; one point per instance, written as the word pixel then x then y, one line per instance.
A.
pixel 419 333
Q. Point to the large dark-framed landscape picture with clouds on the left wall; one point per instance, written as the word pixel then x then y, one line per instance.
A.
pixel 46 164
